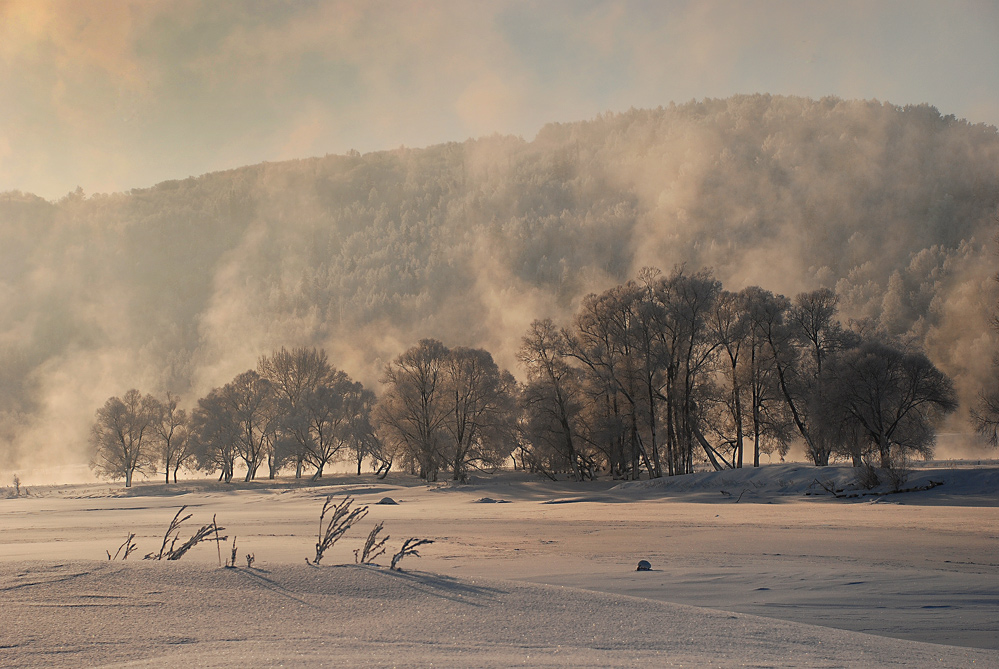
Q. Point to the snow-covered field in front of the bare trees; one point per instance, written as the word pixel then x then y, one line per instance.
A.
pixel 751 568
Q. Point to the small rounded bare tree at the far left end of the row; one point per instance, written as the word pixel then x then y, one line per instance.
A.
pixel 122 436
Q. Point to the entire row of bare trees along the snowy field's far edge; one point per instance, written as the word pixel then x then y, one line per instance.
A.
pixel 650 378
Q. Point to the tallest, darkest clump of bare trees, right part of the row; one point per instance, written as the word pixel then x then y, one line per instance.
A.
pixel 656 376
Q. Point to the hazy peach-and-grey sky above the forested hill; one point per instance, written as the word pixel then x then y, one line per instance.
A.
pixel 111 95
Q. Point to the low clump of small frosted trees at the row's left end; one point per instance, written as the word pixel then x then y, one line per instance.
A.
pixel 295 409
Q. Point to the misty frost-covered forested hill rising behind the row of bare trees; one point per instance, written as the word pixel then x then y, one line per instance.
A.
pixel 182 285
